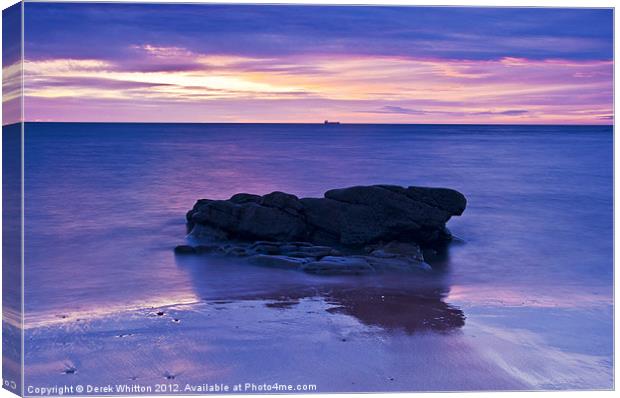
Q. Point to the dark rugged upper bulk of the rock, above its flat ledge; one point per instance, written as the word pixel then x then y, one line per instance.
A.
pixel 354 216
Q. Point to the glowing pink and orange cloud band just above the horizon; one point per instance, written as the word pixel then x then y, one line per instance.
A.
pixel 351 88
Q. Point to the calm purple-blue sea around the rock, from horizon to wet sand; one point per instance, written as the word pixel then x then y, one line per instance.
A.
pixel 105 205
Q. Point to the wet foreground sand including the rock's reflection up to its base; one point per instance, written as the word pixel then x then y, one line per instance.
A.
pixel 389 333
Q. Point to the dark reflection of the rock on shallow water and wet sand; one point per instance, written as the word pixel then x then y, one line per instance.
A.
pixel 395 302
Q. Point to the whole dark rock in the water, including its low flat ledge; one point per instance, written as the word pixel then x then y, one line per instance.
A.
pixel 349 231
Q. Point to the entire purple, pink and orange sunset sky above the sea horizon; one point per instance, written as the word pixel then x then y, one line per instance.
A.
pixel 252 63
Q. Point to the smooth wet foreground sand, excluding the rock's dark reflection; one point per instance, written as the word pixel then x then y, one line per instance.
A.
pixel 243 323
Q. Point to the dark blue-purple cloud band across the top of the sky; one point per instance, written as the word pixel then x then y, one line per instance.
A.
pixel 274 31
